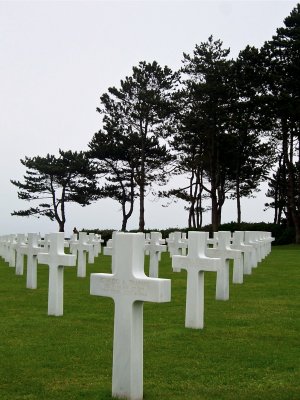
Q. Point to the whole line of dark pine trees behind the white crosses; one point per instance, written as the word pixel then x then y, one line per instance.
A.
pixel 225 125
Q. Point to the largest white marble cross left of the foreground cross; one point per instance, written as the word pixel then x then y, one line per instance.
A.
pixel 57 260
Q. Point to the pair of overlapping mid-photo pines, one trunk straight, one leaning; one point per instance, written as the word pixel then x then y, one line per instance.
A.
pixel 131 149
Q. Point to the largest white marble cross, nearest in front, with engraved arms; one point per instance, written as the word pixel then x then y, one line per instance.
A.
pixel 130 288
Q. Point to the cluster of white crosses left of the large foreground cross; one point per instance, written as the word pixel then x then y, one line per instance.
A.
pixel 13 248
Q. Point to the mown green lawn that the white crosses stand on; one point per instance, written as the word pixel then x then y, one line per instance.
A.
pixel 248 349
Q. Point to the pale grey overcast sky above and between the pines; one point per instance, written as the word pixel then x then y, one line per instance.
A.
pixel 58 57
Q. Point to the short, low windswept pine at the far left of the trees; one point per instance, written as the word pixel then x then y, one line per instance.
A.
pixel 54 181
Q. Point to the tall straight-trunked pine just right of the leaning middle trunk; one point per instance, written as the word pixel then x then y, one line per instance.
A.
pixel 139 114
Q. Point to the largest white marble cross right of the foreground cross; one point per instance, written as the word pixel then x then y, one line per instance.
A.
pixel 195 263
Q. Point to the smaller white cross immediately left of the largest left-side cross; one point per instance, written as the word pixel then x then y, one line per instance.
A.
pixel 31 250
